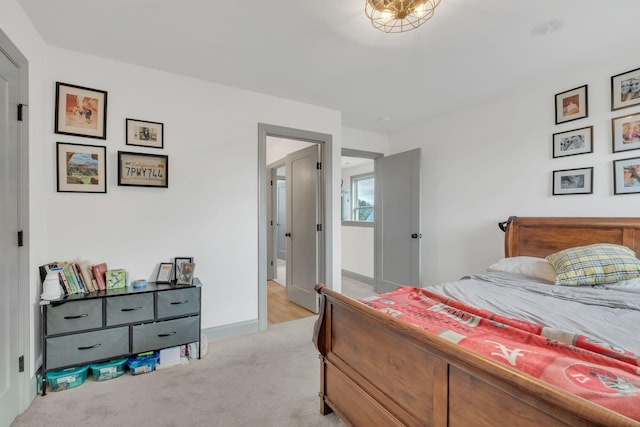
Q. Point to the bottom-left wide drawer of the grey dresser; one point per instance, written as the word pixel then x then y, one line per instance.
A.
pixel 87 347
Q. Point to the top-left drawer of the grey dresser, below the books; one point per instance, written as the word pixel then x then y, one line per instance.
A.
pixel 74 316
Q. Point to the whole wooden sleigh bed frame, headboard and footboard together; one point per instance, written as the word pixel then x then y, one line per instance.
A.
pixel 378 371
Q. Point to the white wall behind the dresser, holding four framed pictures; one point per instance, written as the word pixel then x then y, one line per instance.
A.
pixel 210 209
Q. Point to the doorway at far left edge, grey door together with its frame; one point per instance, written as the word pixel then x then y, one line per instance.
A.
pixel 15 394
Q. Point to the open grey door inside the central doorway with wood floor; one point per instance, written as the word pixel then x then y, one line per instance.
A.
pixel 302 234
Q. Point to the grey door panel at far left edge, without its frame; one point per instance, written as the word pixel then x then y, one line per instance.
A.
pixel 9 340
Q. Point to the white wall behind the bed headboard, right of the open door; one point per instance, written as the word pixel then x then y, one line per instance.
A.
pixel 484 163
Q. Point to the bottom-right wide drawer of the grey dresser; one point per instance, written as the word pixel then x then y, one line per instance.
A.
pixel 154 336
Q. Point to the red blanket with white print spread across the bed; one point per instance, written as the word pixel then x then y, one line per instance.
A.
pixel 602 374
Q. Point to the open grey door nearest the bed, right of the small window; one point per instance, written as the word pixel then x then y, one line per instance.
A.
pixel 397 219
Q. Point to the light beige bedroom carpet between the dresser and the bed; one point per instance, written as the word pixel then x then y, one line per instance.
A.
pixel 269 378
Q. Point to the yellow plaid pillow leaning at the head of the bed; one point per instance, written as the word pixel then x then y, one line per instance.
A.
pixel 594 264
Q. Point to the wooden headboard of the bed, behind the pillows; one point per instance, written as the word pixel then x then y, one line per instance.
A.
pixel 542 236
